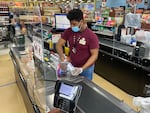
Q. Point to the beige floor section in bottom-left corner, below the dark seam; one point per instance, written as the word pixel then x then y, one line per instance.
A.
pixel 11 99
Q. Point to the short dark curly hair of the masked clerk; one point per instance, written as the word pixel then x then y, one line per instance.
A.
pixel 75 14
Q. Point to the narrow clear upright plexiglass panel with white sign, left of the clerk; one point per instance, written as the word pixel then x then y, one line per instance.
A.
pixel 39 92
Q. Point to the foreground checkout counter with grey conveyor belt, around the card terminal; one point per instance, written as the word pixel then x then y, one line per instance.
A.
pixel 38 93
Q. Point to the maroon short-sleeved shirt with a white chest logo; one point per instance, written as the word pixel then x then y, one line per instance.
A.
pixel 80 44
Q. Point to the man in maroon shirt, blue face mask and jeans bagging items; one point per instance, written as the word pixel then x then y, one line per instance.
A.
pixel 83 44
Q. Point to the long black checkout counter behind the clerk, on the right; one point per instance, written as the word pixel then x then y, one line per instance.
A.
pixel 125 66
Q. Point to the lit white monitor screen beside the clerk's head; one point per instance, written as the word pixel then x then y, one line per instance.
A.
pixel 61 22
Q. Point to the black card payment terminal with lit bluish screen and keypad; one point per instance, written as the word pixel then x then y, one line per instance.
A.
pixel 66 95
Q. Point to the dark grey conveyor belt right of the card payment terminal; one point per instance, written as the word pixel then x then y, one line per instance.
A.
pixel 93 102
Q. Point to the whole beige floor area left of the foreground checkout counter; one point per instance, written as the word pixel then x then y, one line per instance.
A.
pixel 11 99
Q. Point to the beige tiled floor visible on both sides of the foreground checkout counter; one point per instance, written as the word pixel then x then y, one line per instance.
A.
pixel 11 99
